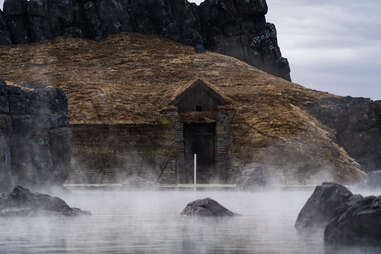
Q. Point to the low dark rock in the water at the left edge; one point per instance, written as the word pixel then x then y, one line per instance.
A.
pixel 23 202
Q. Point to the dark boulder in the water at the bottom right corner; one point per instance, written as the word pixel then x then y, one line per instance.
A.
pixel 359 224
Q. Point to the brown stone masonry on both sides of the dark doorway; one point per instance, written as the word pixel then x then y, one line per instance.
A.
pixel 113 153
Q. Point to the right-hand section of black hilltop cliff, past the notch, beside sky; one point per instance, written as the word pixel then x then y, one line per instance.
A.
pixel 239 29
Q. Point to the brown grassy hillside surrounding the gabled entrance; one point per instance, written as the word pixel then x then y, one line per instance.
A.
pixel 129 78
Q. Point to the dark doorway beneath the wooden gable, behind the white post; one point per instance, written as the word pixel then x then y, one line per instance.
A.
pixel 199 139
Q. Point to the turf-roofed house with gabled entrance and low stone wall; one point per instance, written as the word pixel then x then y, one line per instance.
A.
pixel 197 120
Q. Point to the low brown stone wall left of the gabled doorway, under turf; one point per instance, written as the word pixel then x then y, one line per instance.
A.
pixel 112 153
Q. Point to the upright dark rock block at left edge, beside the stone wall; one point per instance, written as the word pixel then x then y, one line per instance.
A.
pixel 35 138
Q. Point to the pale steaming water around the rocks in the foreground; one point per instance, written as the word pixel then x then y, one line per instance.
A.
pixel 149 222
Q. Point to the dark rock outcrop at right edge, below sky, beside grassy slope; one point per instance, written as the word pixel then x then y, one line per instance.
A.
pixel 357 123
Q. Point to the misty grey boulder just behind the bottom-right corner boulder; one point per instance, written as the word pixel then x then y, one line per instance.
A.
pixel 325 203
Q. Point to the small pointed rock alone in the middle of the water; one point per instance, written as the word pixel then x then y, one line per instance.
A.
pixel 206 208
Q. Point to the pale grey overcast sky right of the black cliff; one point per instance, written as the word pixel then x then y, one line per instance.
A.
pixel 332 46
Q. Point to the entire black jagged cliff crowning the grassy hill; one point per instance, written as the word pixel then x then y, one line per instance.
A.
pixel 236 28
